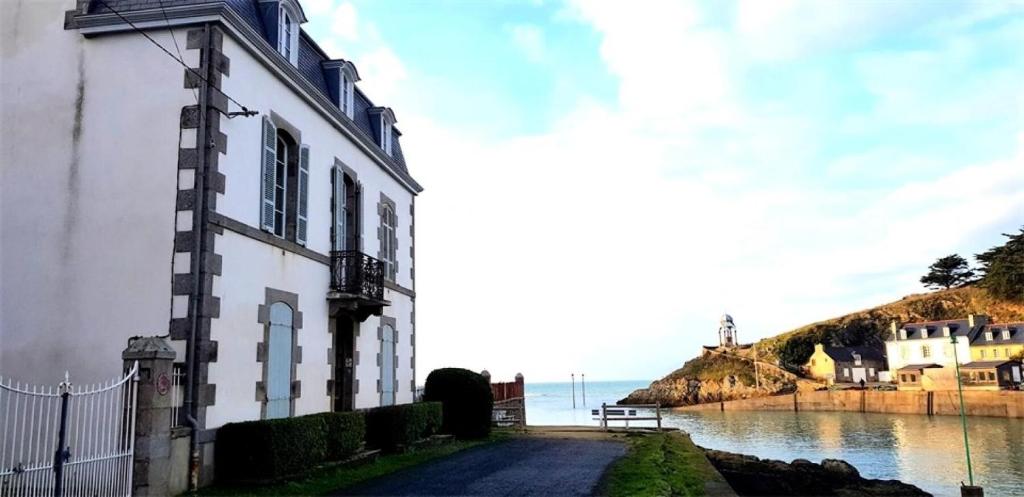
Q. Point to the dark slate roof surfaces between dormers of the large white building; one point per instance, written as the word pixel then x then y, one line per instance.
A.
pixel 311 58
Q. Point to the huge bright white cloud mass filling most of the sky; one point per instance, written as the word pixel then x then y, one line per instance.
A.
pixel 612 242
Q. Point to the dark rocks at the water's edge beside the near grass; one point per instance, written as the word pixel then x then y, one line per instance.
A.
pixel 751 476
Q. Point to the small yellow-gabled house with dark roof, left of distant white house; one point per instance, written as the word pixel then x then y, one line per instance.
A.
pixel 846 365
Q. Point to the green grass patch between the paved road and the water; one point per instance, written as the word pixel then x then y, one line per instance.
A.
pixel 661 465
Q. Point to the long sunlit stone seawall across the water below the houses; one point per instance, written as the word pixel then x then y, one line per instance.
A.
pixel 1005 404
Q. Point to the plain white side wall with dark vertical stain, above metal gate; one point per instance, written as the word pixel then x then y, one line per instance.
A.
pixel 87 211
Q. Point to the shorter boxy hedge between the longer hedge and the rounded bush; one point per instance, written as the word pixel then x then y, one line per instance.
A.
pixel 394 428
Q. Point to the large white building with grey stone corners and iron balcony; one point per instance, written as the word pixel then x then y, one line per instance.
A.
pixel 275 247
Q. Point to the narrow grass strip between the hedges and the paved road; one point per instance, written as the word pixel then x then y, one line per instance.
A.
pixel 324 481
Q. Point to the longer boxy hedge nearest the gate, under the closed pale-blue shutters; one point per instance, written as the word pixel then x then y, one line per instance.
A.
pixel 275 449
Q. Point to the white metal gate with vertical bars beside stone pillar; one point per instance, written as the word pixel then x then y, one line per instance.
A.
pixel 68 440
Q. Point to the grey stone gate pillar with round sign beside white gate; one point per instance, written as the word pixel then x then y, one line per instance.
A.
pixel 152 461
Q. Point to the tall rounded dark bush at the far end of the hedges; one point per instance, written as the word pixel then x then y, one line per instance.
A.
pixel 467 401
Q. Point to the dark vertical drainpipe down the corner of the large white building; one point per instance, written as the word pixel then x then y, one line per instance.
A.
pixel 200 220
